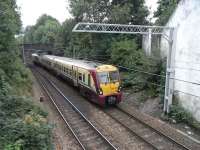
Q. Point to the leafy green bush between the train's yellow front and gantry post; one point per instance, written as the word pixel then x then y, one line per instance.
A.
pixel 126 52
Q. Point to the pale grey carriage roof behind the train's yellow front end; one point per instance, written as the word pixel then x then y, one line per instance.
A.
pixel 76 62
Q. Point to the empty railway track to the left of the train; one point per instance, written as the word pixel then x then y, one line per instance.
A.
pixel 86 134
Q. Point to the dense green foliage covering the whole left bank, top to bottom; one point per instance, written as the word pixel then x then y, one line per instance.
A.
pixel 22 125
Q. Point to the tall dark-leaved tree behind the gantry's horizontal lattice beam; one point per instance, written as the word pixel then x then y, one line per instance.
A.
pixel 104 11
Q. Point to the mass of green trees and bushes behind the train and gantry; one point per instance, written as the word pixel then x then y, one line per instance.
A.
pixel 123 50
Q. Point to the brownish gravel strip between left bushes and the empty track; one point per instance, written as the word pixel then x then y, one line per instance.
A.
pixel 62 137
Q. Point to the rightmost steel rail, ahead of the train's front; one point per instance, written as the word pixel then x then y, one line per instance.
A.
pixel 154 129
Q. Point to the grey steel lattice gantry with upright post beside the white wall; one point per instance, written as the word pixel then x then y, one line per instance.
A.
pixel 168 33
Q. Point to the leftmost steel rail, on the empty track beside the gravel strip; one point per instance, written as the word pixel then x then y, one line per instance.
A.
pixel 57 108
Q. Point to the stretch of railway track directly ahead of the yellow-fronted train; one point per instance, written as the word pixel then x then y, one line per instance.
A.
pixel 145 132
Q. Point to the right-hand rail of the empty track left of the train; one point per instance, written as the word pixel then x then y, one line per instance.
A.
pixel 80 113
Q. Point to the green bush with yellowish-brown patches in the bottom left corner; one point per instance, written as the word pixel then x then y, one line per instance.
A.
pixel 23 125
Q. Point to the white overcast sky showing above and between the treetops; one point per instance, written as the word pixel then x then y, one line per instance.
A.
pixel 59 9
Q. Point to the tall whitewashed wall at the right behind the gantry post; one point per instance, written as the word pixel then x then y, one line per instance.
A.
pixel 187 58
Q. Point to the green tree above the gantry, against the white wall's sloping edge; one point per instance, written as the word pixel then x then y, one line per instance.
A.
pixel 165 10
